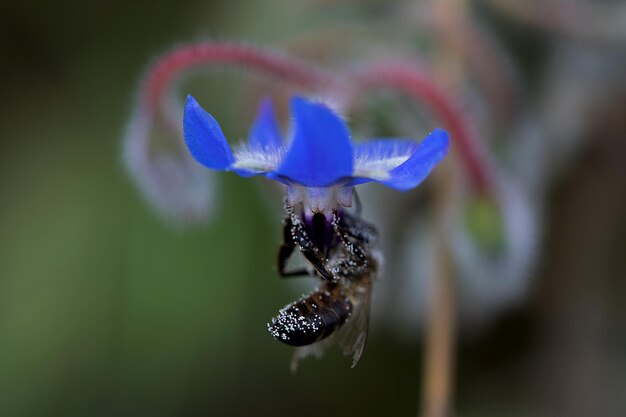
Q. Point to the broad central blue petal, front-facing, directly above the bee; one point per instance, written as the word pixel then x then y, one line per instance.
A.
pixel 321 153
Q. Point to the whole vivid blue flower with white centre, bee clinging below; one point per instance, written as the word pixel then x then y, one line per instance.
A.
pixel 319 164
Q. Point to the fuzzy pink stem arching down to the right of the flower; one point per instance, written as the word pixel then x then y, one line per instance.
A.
pixel 419 85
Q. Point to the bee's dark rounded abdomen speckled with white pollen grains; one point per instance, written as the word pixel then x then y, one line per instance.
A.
pixel 311 318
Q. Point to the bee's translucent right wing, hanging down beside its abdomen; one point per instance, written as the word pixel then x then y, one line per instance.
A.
pixel 353 336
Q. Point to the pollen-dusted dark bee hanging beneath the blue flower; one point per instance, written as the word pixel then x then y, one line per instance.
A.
pixel 340 254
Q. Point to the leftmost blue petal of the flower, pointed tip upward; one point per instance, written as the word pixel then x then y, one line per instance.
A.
pixel 205 138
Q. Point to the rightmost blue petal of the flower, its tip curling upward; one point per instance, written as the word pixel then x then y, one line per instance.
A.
pixel 416 168
